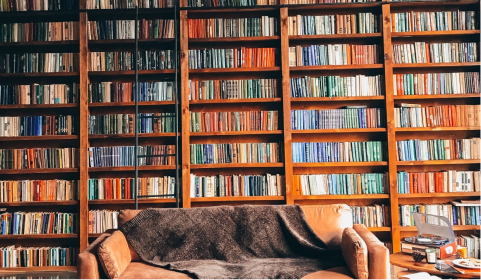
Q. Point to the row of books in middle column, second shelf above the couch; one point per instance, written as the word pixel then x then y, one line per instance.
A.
pixel 235 153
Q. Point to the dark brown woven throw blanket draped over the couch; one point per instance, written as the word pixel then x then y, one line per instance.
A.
pixel 230 242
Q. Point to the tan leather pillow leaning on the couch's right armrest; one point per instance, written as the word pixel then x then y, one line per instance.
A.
pixel 354 251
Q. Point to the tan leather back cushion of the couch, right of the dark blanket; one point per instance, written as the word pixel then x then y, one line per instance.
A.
pixel 328 222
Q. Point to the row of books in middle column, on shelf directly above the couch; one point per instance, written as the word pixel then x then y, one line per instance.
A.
pixel 236 185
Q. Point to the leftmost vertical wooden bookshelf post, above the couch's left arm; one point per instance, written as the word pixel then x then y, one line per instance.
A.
pixel 83 131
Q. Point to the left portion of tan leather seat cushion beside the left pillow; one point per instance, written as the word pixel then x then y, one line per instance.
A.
pixel 140 270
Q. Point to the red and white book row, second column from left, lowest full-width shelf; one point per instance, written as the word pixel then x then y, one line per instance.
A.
pixel 124 188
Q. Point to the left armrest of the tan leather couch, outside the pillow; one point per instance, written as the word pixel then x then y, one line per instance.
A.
pixel 88 266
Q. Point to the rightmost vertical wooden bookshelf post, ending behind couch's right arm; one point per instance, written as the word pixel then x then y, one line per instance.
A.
pixel 390 126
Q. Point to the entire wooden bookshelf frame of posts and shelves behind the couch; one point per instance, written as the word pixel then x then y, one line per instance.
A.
pixel 284 102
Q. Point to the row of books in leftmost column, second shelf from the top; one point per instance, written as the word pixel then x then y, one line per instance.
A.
pixel 39 31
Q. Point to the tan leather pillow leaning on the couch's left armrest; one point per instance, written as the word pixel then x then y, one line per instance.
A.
pixel 114 255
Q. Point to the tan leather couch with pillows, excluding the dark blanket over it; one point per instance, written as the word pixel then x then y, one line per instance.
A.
pixel 365 256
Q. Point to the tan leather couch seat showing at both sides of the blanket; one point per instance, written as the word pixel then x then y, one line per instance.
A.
pixel 137 270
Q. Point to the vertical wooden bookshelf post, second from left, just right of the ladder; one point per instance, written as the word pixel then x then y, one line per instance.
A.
pixel 184 108
